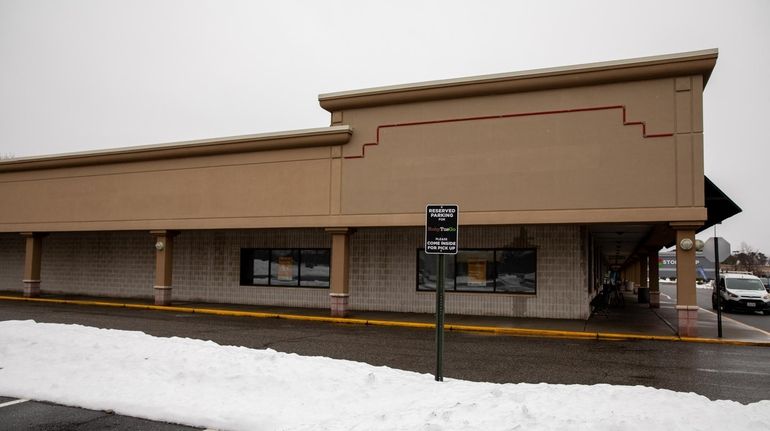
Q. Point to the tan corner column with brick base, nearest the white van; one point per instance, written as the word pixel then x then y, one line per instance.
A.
pixel 686 294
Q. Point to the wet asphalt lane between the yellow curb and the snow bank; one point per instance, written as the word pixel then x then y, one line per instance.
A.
pixel 740 373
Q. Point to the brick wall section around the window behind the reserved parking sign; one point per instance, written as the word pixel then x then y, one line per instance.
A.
pixel 384 267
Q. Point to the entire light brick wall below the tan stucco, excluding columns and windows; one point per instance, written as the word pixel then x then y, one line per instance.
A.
pixel 382 275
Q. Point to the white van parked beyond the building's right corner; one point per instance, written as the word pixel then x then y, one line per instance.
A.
pixel 741 292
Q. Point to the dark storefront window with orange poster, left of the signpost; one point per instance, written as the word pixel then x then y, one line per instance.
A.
pixel 290 267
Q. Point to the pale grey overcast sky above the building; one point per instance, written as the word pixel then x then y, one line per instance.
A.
pixel 81 75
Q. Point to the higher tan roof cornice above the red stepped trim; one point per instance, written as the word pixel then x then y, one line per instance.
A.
pixel 679 64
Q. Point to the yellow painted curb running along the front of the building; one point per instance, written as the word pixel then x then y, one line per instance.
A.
pixel 498 330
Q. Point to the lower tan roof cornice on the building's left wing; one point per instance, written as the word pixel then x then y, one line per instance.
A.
pixel 317 137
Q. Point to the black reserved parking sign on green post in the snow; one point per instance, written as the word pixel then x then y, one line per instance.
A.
pixel 440 239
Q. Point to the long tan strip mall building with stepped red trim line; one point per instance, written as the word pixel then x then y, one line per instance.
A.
pixel 559 174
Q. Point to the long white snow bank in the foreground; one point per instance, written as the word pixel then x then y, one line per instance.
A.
pixel 204 384
